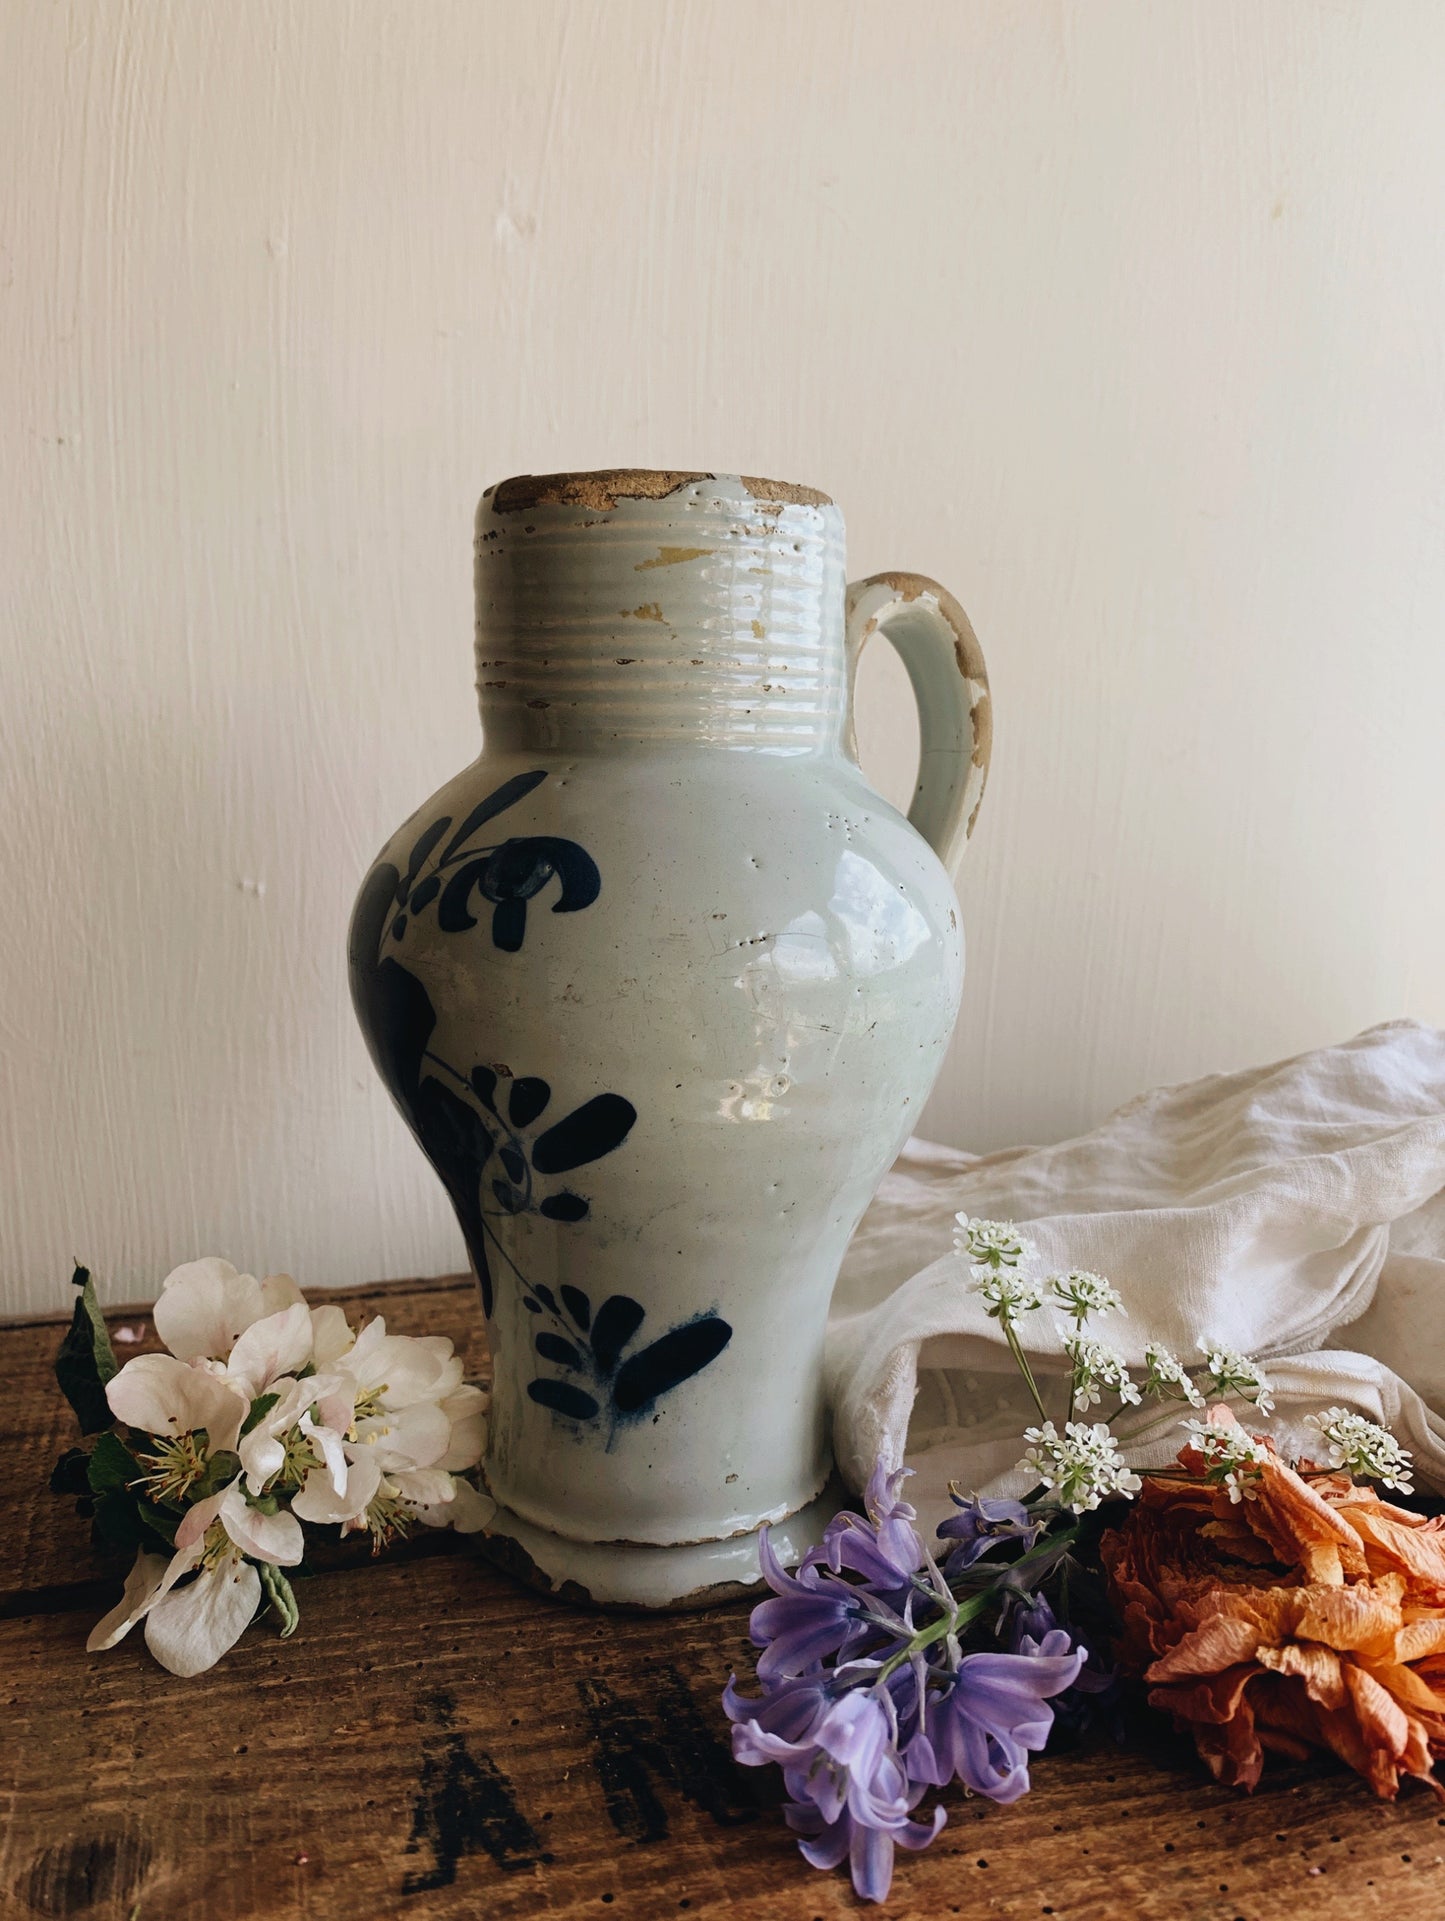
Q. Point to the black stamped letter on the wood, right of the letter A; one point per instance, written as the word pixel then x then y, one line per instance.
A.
pixel 668 1743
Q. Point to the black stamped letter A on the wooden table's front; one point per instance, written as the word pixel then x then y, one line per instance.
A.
pixel 464 1805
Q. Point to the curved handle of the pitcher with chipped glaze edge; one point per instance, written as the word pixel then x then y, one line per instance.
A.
pixel 950 683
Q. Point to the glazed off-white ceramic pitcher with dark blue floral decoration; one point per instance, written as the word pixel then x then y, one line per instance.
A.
pixel 662 986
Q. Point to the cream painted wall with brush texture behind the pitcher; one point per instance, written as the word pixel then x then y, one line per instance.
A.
pixel 1123 320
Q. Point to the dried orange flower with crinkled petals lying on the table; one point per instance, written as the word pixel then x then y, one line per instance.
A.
pixel 1310 1615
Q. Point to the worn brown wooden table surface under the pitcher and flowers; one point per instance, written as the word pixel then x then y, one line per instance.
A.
pixel 439 1743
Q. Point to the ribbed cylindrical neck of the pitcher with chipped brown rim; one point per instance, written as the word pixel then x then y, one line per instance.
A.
pixel 624 610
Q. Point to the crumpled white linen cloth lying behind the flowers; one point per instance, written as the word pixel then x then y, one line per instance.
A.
pixel 1292 1213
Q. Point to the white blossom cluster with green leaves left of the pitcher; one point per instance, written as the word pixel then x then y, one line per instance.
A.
pixel 262 1415
